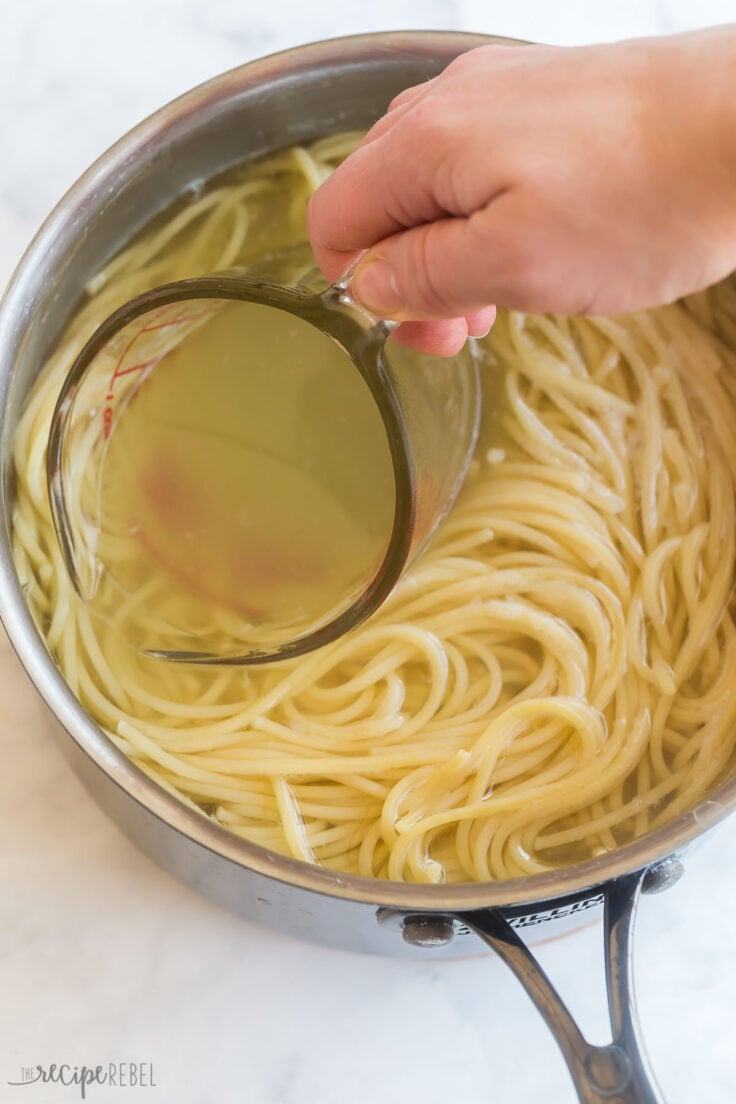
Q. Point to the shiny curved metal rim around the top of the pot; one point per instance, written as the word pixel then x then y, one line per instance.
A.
pixel 102 181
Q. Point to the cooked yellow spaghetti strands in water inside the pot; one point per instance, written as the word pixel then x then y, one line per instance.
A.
pixel 554 677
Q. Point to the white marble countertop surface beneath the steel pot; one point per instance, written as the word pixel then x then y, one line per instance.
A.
pixel 104 958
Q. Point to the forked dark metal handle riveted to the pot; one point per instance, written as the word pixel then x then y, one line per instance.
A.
pixel 620 1073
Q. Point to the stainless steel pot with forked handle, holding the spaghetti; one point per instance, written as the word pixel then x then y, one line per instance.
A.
pixel 295 97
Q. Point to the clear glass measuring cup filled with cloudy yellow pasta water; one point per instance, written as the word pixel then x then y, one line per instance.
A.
pixel 238 469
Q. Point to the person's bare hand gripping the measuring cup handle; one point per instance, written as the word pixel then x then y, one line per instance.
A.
pixel 589 181
